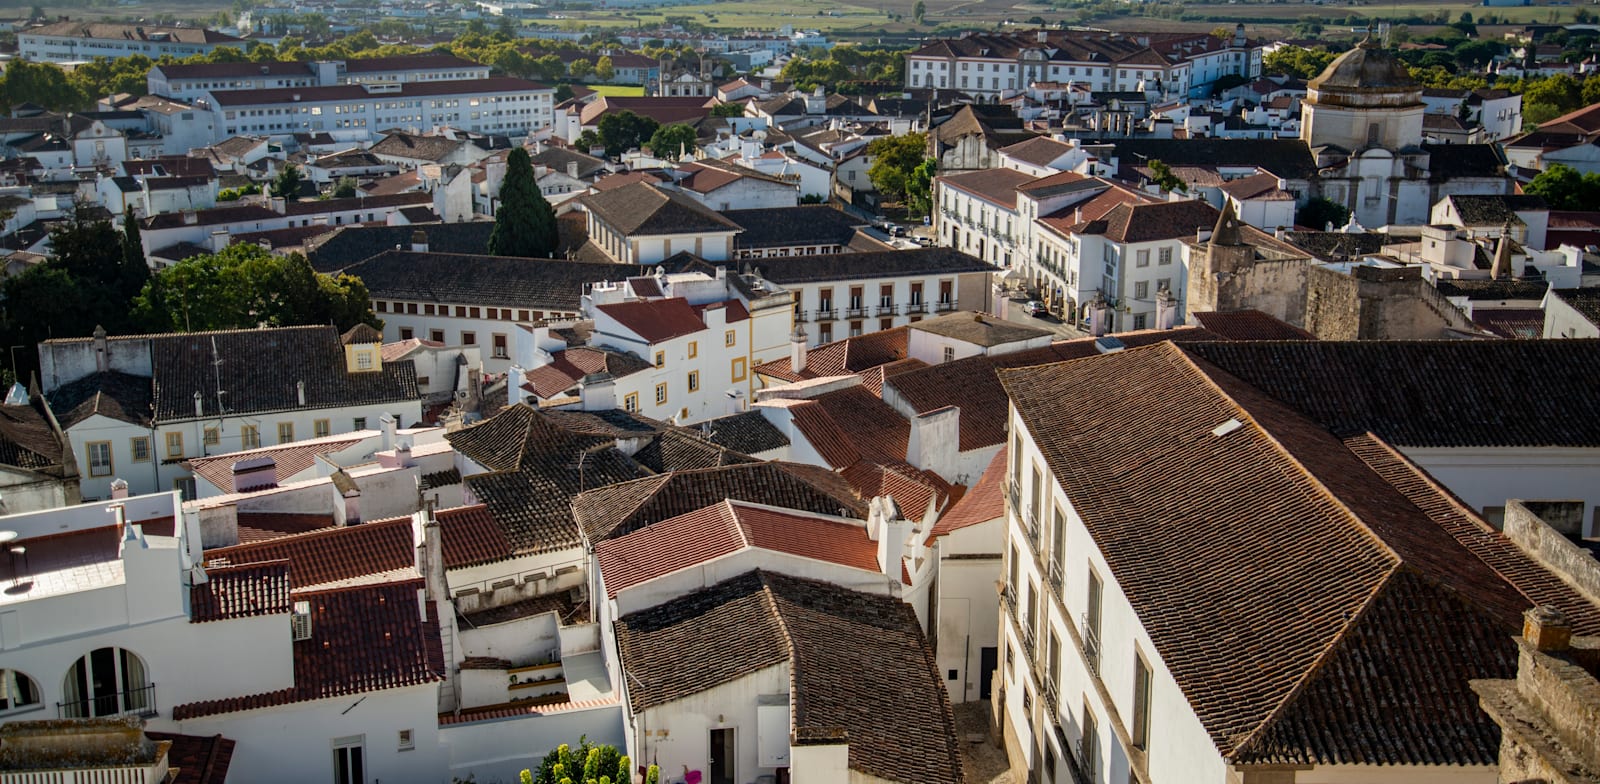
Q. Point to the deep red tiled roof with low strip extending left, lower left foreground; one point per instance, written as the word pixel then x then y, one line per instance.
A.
pixel 364 639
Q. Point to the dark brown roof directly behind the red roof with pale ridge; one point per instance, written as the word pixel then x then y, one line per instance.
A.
pixel 626 508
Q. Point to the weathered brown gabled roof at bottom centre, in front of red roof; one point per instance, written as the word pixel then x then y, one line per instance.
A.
pixel 860 666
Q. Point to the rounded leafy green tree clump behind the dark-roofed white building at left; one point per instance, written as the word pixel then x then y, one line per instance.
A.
pixel 246 286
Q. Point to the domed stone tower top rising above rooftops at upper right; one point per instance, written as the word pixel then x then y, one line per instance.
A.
pixel 1366 98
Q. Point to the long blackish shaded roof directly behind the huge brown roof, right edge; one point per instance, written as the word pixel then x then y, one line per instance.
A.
pixel 1394 388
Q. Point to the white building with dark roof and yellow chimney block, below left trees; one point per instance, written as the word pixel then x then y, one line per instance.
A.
pixel 137 407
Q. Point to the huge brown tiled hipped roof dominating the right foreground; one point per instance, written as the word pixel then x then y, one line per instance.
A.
pixel 1396 598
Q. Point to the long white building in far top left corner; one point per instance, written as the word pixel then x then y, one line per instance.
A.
pixel 82 42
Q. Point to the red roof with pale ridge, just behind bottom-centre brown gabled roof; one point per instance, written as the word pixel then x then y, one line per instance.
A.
pixel 724 529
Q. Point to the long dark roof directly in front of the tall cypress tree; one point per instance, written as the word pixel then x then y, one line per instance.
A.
pixel 505 281
